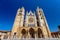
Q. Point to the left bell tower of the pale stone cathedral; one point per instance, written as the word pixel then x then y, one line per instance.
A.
pixel 19 20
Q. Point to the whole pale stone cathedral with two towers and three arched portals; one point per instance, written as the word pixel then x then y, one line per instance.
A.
pixel 33 26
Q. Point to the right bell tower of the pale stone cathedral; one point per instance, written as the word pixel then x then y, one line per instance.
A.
pixel 41 22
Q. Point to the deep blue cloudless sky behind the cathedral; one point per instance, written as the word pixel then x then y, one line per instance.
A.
pixel 8 9
